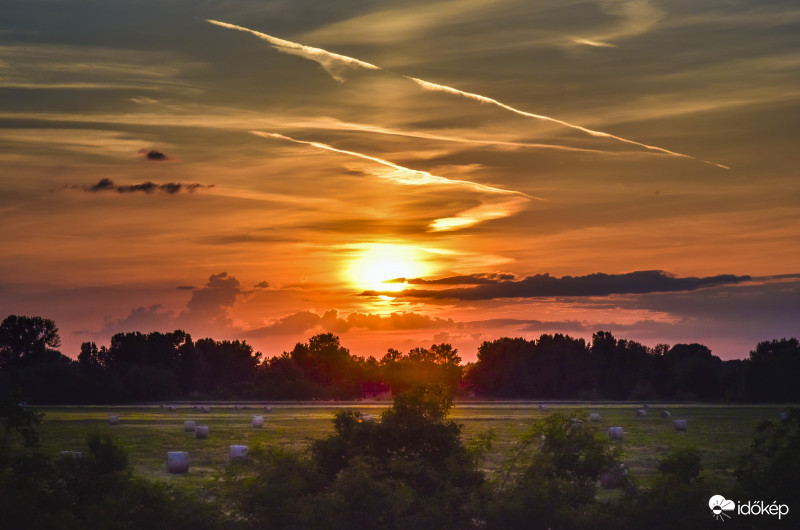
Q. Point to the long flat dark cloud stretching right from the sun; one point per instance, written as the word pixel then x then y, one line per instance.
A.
pixel 545 286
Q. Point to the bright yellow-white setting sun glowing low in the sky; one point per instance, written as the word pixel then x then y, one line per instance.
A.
pixel 375 264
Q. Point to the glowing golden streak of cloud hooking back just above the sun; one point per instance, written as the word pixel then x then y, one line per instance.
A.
pixel 489 209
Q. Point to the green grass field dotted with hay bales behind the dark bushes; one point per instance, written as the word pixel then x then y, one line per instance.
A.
pixel 721 432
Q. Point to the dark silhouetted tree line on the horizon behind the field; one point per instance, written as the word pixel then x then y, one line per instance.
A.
pixel 155 366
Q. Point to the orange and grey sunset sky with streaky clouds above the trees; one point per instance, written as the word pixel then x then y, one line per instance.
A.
pixel 402 173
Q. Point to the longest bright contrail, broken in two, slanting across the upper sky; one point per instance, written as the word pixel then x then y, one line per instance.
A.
pixel 330 61
